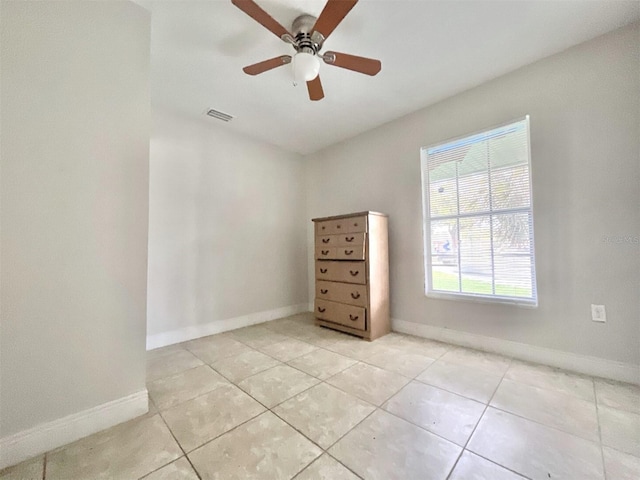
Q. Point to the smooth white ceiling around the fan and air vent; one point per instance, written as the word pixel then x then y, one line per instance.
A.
pixel 429 50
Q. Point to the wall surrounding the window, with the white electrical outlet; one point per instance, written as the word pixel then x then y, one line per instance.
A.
pixel 584 105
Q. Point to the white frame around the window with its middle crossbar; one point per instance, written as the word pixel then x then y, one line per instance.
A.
pixel 426 219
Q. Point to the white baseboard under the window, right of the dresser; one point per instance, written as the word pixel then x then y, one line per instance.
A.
pixel 598 367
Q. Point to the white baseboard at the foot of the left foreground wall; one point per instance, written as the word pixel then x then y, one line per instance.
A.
pixel 42 438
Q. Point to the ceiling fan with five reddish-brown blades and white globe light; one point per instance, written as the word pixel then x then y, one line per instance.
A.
pixel 307 37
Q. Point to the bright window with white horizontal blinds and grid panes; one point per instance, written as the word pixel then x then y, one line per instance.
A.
pixel 478 217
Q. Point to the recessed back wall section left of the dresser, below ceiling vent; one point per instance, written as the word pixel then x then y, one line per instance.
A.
pixel 227 237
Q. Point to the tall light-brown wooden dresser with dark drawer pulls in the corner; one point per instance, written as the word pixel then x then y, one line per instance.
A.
pixel 352 274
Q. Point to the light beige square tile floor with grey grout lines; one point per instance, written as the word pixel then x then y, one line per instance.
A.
pixel 290 400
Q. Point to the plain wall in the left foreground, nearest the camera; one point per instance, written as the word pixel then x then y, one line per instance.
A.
pixel 75 133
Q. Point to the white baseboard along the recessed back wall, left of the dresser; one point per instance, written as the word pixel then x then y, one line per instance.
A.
pixel 196 331
